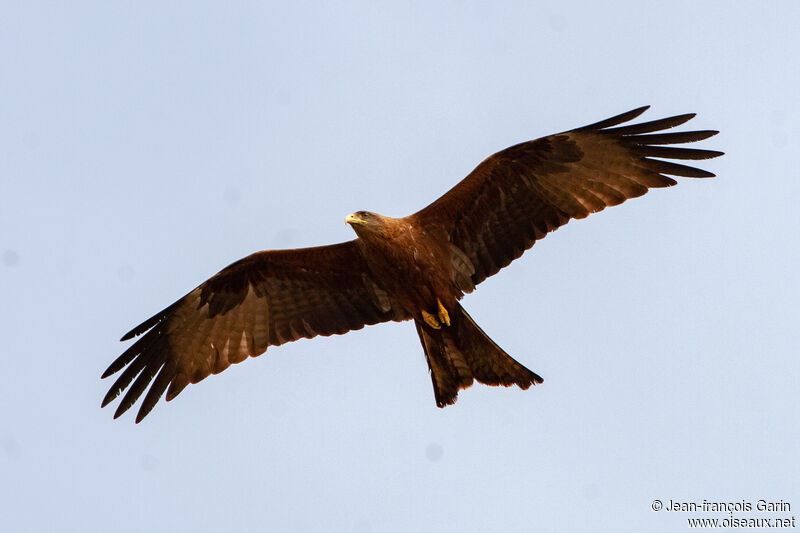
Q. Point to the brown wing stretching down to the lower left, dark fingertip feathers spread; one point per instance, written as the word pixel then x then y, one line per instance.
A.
pixel 265 299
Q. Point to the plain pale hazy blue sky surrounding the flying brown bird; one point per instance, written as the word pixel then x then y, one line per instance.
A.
pixel 144 146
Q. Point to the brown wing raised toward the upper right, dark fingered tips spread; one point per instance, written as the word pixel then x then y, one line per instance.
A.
pixel 519 194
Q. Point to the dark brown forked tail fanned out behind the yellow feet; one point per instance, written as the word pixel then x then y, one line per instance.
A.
pixel 462 352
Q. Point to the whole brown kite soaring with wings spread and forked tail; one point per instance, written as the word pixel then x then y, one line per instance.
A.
pixel 413 268
